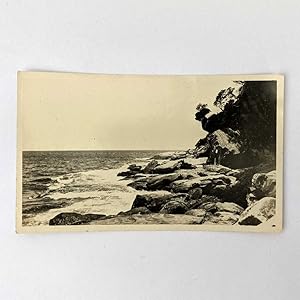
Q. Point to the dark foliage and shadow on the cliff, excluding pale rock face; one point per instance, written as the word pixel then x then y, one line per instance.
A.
pixel 249 118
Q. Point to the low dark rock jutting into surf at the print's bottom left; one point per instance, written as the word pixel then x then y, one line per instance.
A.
pixel 74 219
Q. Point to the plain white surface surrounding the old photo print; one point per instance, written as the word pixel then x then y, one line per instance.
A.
pixel 169 37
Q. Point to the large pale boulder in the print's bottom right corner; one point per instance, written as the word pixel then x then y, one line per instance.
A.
pixel 259 212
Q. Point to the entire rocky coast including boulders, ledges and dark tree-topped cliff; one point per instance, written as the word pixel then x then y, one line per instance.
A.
pixel 229 178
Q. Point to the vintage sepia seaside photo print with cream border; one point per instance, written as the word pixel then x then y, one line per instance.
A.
pixel 148 152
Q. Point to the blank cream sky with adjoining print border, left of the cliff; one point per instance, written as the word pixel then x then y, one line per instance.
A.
pixel 62 111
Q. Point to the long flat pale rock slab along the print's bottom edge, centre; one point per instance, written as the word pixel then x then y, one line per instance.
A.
pixel 154 218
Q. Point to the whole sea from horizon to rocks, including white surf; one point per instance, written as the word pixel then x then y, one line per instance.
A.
pixel 76 181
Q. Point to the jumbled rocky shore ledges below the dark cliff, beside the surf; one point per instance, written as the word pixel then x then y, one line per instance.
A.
pixel 177 188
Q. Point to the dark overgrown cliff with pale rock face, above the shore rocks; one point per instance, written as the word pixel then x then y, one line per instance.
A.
pixel 244 132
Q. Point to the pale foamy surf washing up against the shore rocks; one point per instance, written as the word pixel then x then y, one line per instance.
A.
pixel 38 212
